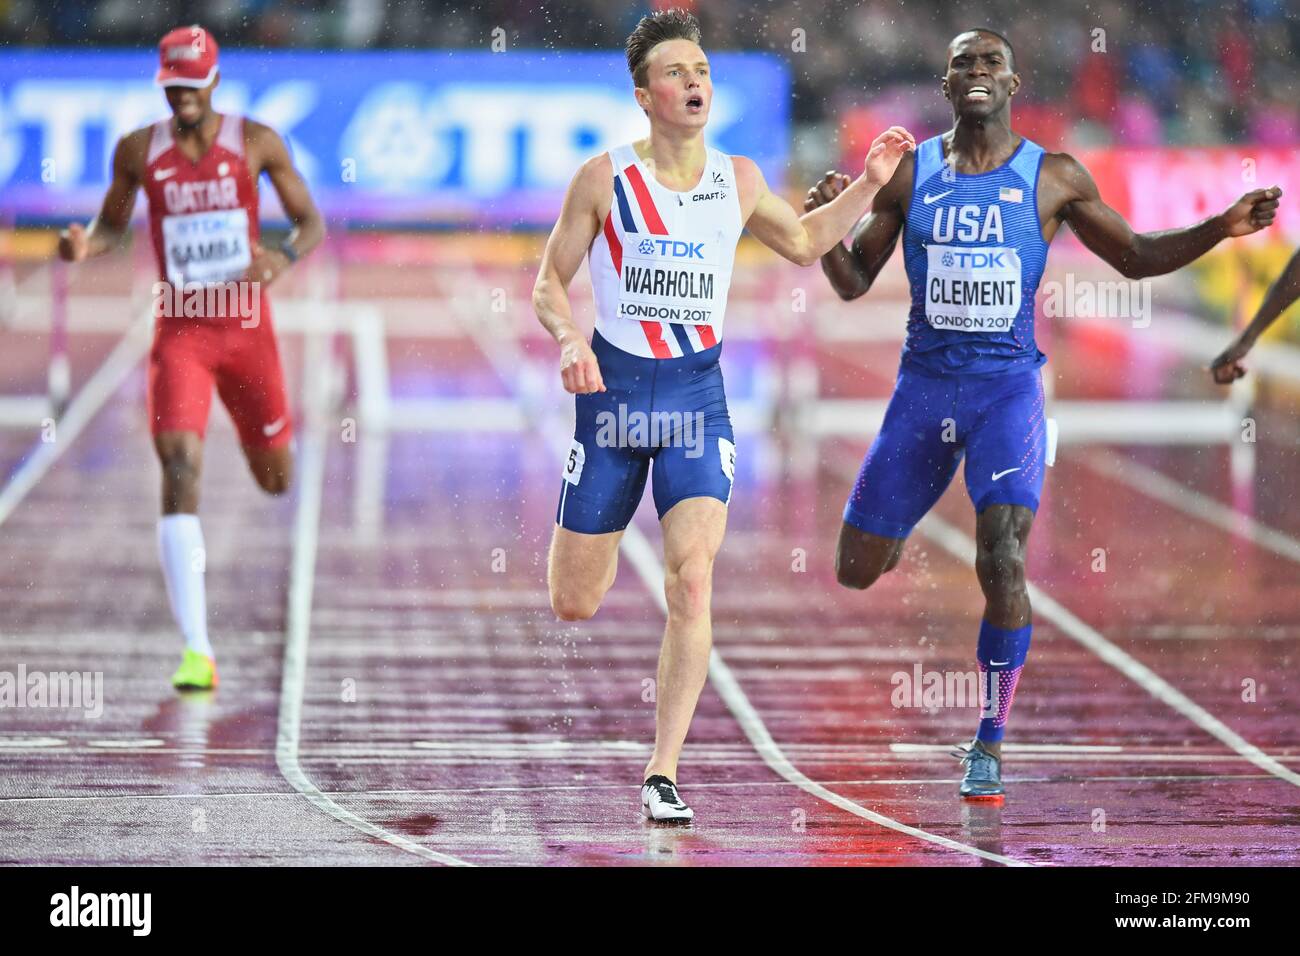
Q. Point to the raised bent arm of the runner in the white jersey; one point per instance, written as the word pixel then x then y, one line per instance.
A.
pixel 807 239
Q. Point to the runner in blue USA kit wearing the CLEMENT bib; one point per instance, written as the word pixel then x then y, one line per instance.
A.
pixel 977 209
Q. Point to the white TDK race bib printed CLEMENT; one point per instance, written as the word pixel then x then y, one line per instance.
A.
pixel 973 289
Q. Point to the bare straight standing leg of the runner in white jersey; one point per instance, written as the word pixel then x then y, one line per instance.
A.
pixel 692 535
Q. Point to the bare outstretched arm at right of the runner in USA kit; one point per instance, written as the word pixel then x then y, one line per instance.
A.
pixel 1138 256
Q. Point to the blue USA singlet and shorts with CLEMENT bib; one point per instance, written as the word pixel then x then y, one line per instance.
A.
pixel 969 386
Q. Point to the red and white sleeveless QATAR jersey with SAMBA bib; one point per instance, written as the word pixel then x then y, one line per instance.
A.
pixel 203 215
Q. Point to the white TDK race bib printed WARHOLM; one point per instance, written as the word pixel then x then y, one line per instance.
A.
pixel 673 280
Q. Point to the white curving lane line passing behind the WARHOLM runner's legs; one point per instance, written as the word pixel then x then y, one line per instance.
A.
pixel 514 369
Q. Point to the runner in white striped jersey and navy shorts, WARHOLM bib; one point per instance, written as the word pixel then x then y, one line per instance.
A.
pixel 660 220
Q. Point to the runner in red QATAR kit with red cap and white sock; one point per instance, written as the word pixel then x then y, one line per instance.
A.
pixel 200 171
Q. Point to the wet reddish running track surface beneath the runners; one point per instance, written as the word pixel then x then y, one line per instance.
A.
pixel 447 706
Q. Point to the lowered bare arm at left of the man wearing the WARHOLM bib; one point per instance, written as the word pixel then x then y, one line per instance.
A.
pixel 569 243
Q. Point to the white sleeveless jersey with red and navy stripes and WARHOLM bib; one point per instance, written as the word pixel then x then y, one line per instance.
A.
pixel 662 262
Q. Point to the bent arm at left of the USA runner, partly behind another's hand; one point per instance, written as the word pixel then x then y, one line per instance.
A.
pixel 852 271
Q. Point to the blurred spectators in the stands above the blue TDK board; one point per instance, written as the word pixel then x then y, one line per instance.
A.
pixel 1097 72
